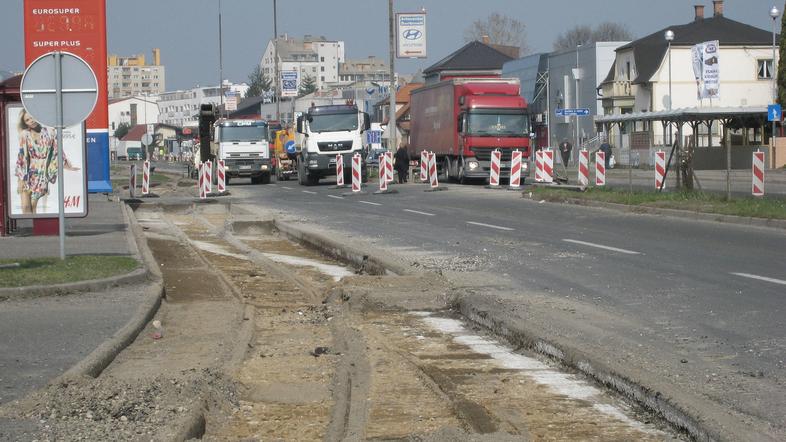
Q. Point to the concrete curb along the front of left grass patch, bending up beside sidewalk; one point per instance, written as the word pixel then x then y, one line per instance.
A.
pixel 93 285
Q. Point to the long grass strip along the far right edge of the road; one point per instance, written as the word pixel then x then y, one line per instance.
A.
pixel 770 208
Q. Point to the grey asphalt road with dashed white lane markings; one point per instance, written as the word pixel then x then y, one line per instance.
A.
pixel 696 286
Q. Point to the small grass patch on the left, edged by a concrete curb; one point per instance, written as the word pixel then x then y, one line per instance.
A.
pixel 46 271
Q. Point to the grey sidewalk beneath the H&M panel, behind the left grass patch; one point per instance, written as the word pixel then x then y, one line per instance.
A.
pixel 101 232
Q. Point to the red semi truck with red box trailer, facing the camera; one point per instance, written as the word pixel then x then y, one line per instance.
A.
pixel 464 119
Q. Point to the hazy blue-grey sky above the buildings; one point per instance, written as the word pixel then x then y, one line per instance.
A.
pixel 186 31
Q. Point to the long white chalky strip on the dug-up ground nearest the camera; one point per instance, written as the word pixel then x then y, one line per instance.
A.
pixel 561 383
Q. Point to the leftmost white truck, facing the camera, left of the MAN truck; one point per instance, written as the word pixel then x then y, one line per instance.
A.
pixel 245 148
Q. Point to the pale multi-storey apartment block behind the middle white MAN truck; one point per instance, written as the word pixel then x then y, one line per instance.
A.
pixel 314 57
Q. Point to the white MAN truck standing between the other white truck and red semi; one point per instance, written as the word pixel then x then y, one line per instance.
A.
pixel 325 131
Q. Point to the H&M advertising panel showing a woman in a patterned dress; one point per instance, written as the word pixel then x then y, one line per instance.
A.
pixel 32 167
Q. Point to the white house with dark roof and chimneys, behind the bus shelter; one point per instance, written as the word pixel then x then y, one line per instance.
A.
pixel 639 79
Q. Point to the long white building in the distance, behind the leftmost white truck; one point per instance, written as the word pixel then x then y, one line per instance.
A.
pixel 180 108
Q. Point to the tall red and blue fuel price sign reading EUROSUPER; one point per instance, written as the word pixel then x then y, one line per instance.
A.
pixel 79 27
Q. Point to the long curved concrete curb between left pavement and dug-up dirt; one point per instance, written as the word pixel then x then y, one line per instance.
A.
pixel 104 354
